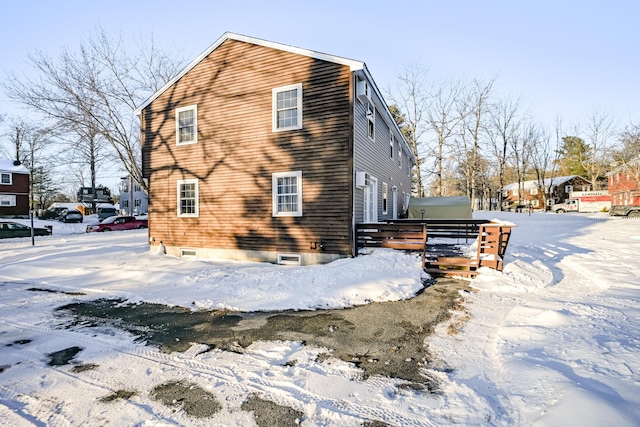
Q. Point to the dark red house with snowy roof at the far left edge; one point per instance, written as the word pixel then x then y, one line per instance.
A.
pixel 14 189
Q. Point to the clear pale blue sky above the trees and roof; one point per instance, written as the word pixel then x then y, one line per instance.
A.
pixel 563 59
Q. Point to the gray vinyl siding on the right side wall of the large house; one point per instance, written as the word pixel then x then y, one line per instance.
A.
pixel 373 158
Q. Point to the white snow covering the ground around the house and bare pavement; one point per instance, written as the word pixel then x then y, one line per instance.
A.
pixel 554 339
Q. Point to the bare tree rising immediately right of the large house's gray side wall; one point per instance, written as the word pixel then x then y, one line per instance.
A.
pixel 411 99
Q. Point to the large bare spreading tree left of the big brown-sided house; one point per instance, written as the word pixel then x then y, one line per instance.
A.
pixel 99 86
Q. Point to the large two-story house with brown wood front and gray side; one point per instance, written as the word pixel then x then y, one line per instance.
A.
pixel 263 151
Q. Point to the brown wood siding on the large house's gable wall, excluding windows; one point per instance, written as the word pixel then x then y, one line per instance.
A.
pixel 237 152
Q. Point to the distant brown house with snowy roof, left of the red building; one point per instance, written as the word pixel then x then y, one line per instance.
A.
pixel 534 194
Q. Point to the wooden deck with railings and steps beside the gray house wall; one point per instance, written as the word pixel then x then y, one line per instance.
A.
pixel 444 243
